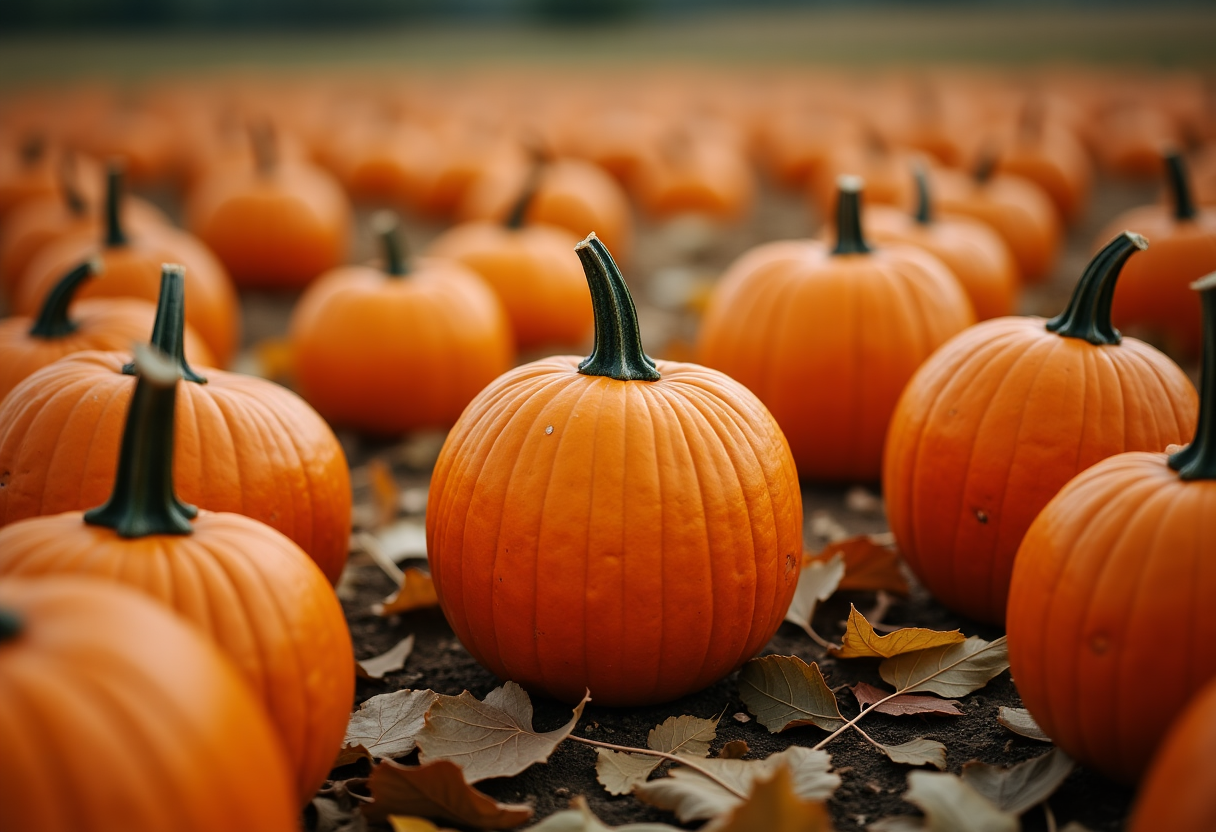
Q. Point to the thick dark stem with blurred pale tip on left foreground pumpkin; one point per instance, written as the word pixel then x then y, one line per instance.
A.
pixel 144 502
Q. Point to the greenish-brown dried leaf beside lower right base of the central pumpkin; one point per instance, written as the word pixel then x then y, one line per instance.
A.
pixel 785 692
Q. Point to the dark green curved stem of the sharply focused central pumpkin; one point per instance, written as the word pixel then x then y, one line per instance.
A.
pixel 618 351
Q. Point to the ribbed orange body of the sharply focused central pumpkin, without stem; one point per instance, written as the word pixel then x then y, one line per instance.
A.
pixel 644 549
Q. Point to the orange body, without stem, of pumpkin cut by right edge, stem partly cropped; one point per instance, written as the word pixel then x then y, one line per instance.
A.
pixel 1117 575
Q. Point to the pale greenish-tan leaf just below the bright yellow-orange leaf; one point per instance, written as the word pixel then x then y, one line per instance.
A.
pixel 950 671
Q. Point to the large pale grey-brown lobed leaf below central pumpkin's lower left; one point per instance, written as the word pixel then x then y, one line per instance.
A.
pixel 491 739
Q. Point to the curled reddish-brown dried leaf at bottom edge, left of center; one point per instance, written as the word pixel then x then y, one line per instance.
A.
pixel 437 790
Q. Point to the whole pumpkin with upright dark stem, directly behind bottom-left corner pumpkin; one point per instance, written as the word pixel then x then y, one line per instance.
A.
pixel 255 592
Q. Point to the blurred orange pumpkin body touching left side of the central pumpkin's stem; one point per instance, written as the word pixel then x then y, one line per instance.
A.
pixel 536 274
